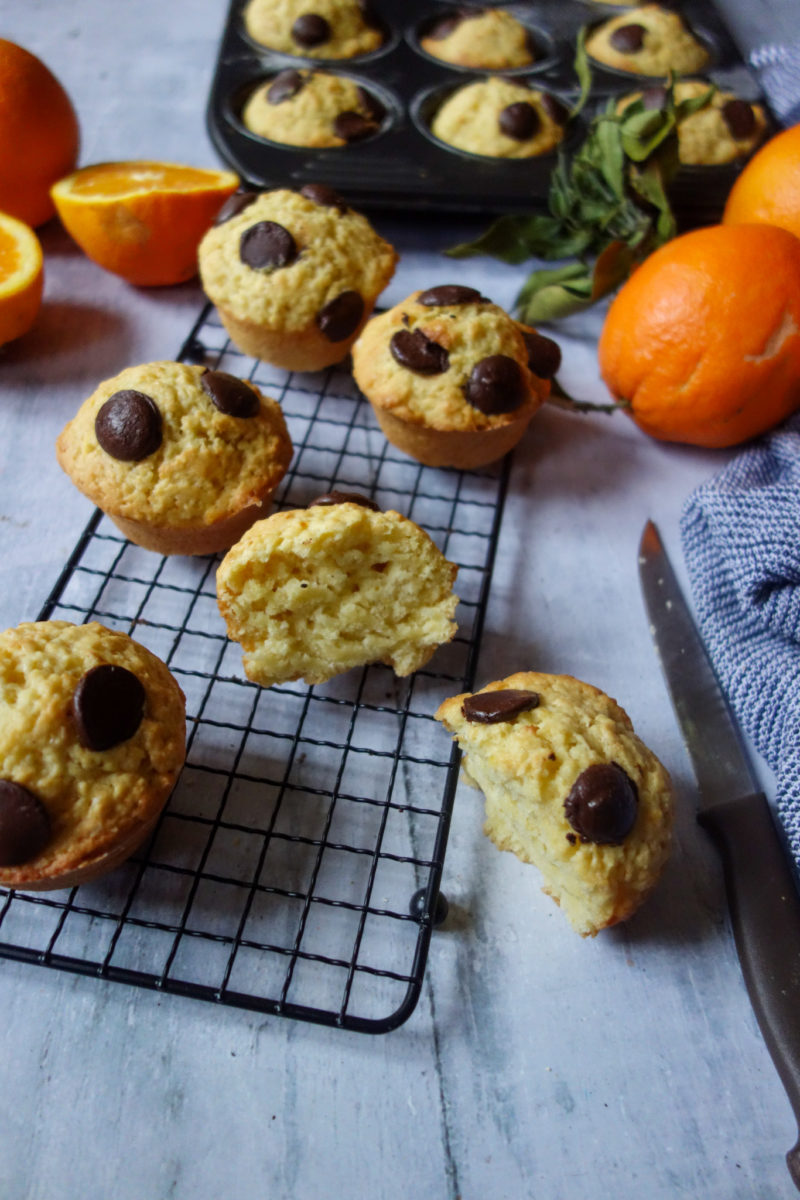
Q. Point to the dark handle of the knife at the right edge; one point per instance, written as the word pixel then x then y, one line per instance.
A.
pixel 766 917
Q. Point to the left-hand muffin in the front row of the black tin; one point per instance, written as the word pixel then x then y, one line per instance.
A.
pixel 314 109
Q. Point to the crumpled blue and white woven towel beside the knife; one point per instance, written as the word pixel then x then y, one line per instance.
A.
pixel 742 542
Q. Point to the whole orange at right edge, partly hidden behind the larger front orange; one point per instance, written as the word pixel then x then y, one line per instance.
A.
pixel 768 190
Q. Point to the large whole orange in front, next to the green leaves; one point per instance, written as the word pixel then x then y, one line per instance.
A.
pixel 702 344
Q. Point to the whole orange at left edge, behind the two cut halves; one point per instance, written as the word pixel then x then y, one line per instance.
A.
pixel 39 135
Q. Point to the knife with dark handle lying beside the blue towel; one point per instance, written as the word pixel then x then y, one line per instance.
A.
pixel 762 893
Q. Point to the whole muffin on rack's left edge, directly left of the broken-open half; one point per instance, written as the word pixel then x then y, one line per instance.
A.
pixel 181 458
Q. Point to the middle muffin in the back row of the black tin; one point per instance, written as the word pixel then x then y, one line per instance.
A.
pixel 483 39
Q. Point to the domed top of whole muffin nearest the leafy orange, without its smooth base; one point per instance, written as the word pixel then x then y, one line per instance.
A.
pixel 449 359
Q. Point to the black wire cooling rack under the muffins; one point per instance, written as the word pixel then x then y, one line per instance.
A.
pixel 297 867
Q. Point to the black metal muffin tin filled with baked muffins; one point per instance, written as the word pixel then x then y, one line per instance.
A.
pixel 404 167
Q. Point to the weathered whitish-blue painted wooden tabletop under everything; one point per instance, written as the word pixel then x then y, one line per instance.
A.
pixel 537 1065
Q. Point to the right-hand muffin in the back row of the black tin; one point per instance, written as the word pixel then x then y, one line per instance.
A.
pixel 652 41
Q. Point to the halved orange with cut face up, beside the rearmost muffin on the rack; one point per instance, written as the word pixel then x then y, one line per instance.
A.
pixel 142 220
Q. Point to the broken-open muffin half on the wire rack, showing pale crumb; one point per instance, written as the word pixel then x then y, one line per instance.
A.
pixel 311 593
